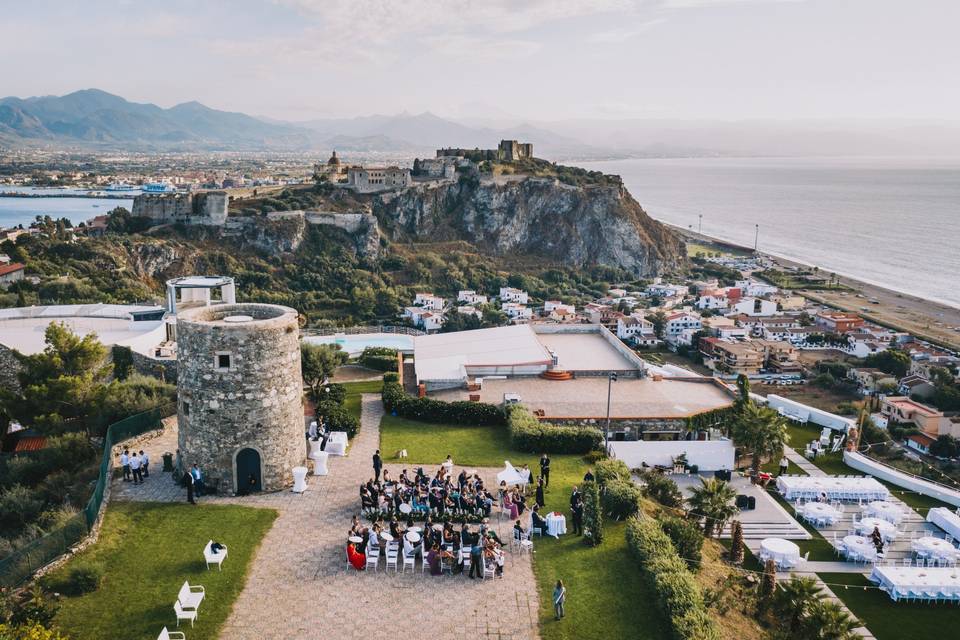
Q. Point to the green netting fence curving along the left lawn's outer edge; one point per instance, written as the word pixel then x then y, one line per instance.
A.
pixel 25 561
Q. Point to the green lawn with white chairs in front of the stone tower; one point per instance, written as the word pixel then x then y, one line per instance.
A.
pixel 146 551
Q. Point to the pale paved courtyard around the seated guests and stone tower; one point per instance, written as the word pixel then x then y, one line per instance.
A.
pixel 299 585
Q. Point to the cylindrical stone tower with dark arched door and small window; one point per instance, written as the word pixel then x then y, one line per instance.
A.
pixel 239 387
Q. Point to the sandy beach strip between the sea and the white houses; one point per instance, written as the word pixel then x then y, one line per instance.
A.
pixel 927 319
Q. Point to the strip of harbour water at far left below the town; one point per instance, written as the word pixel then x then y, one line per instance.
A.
pixel 16 211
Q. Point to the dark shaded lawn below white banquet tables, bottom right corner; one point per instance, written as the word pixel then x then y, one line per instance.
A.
pixel 889 620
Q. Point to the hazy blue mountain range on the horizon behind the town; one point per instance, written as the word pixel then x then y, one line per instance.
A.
pixel 96 119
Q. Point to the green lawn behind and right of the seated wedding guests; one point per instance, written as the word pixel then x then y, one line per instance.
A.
pixel 607 597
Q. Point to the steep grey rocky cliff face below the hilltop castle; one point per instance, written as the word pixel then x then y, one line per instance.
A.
pixel 574 225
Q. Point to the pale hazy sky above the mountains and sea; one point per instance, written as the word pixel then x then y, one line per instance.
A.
pixel 544 59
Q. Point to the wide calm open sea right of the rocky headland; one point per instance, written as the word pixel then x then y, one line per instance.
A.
pixel 891 222
